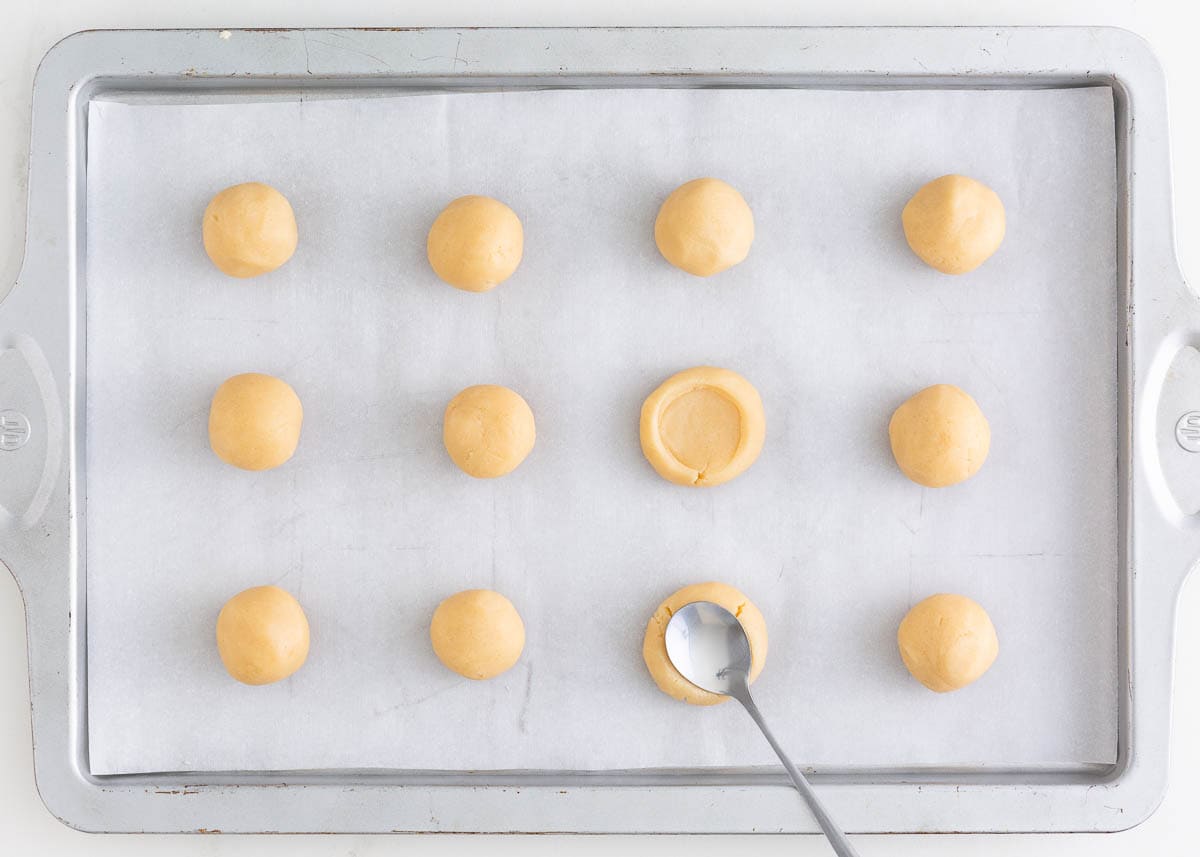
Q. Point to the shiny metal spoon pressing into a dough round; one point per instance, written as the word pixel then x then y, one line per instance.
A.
pixel 709 646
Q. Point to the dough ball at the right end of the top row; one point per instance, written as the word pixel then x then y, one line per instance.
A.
pixel 955 224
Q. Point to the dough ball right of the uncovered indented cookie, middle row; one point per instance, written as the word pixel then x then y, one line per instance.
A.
pixel 940 436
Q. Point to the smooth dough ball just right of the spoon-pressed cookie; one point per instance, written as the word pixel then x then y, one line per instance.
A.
pixel 947 643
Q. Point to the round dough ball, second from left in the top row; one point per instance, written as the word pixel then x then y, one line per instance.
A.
pixel 476 243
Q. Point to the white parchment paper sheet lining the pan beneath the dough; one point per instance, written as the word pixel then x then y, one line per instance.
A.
pixel 370 525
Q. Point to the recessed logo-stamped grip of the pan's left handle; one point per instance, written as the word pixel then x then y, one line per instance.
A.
pixel 32 430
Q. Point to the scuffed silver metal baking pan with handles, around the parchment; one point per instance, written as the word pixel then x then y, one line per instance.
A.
pixel 44 514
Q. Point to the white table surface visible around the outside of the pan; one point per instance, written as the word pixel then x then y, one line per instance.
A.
pixel 32 27
